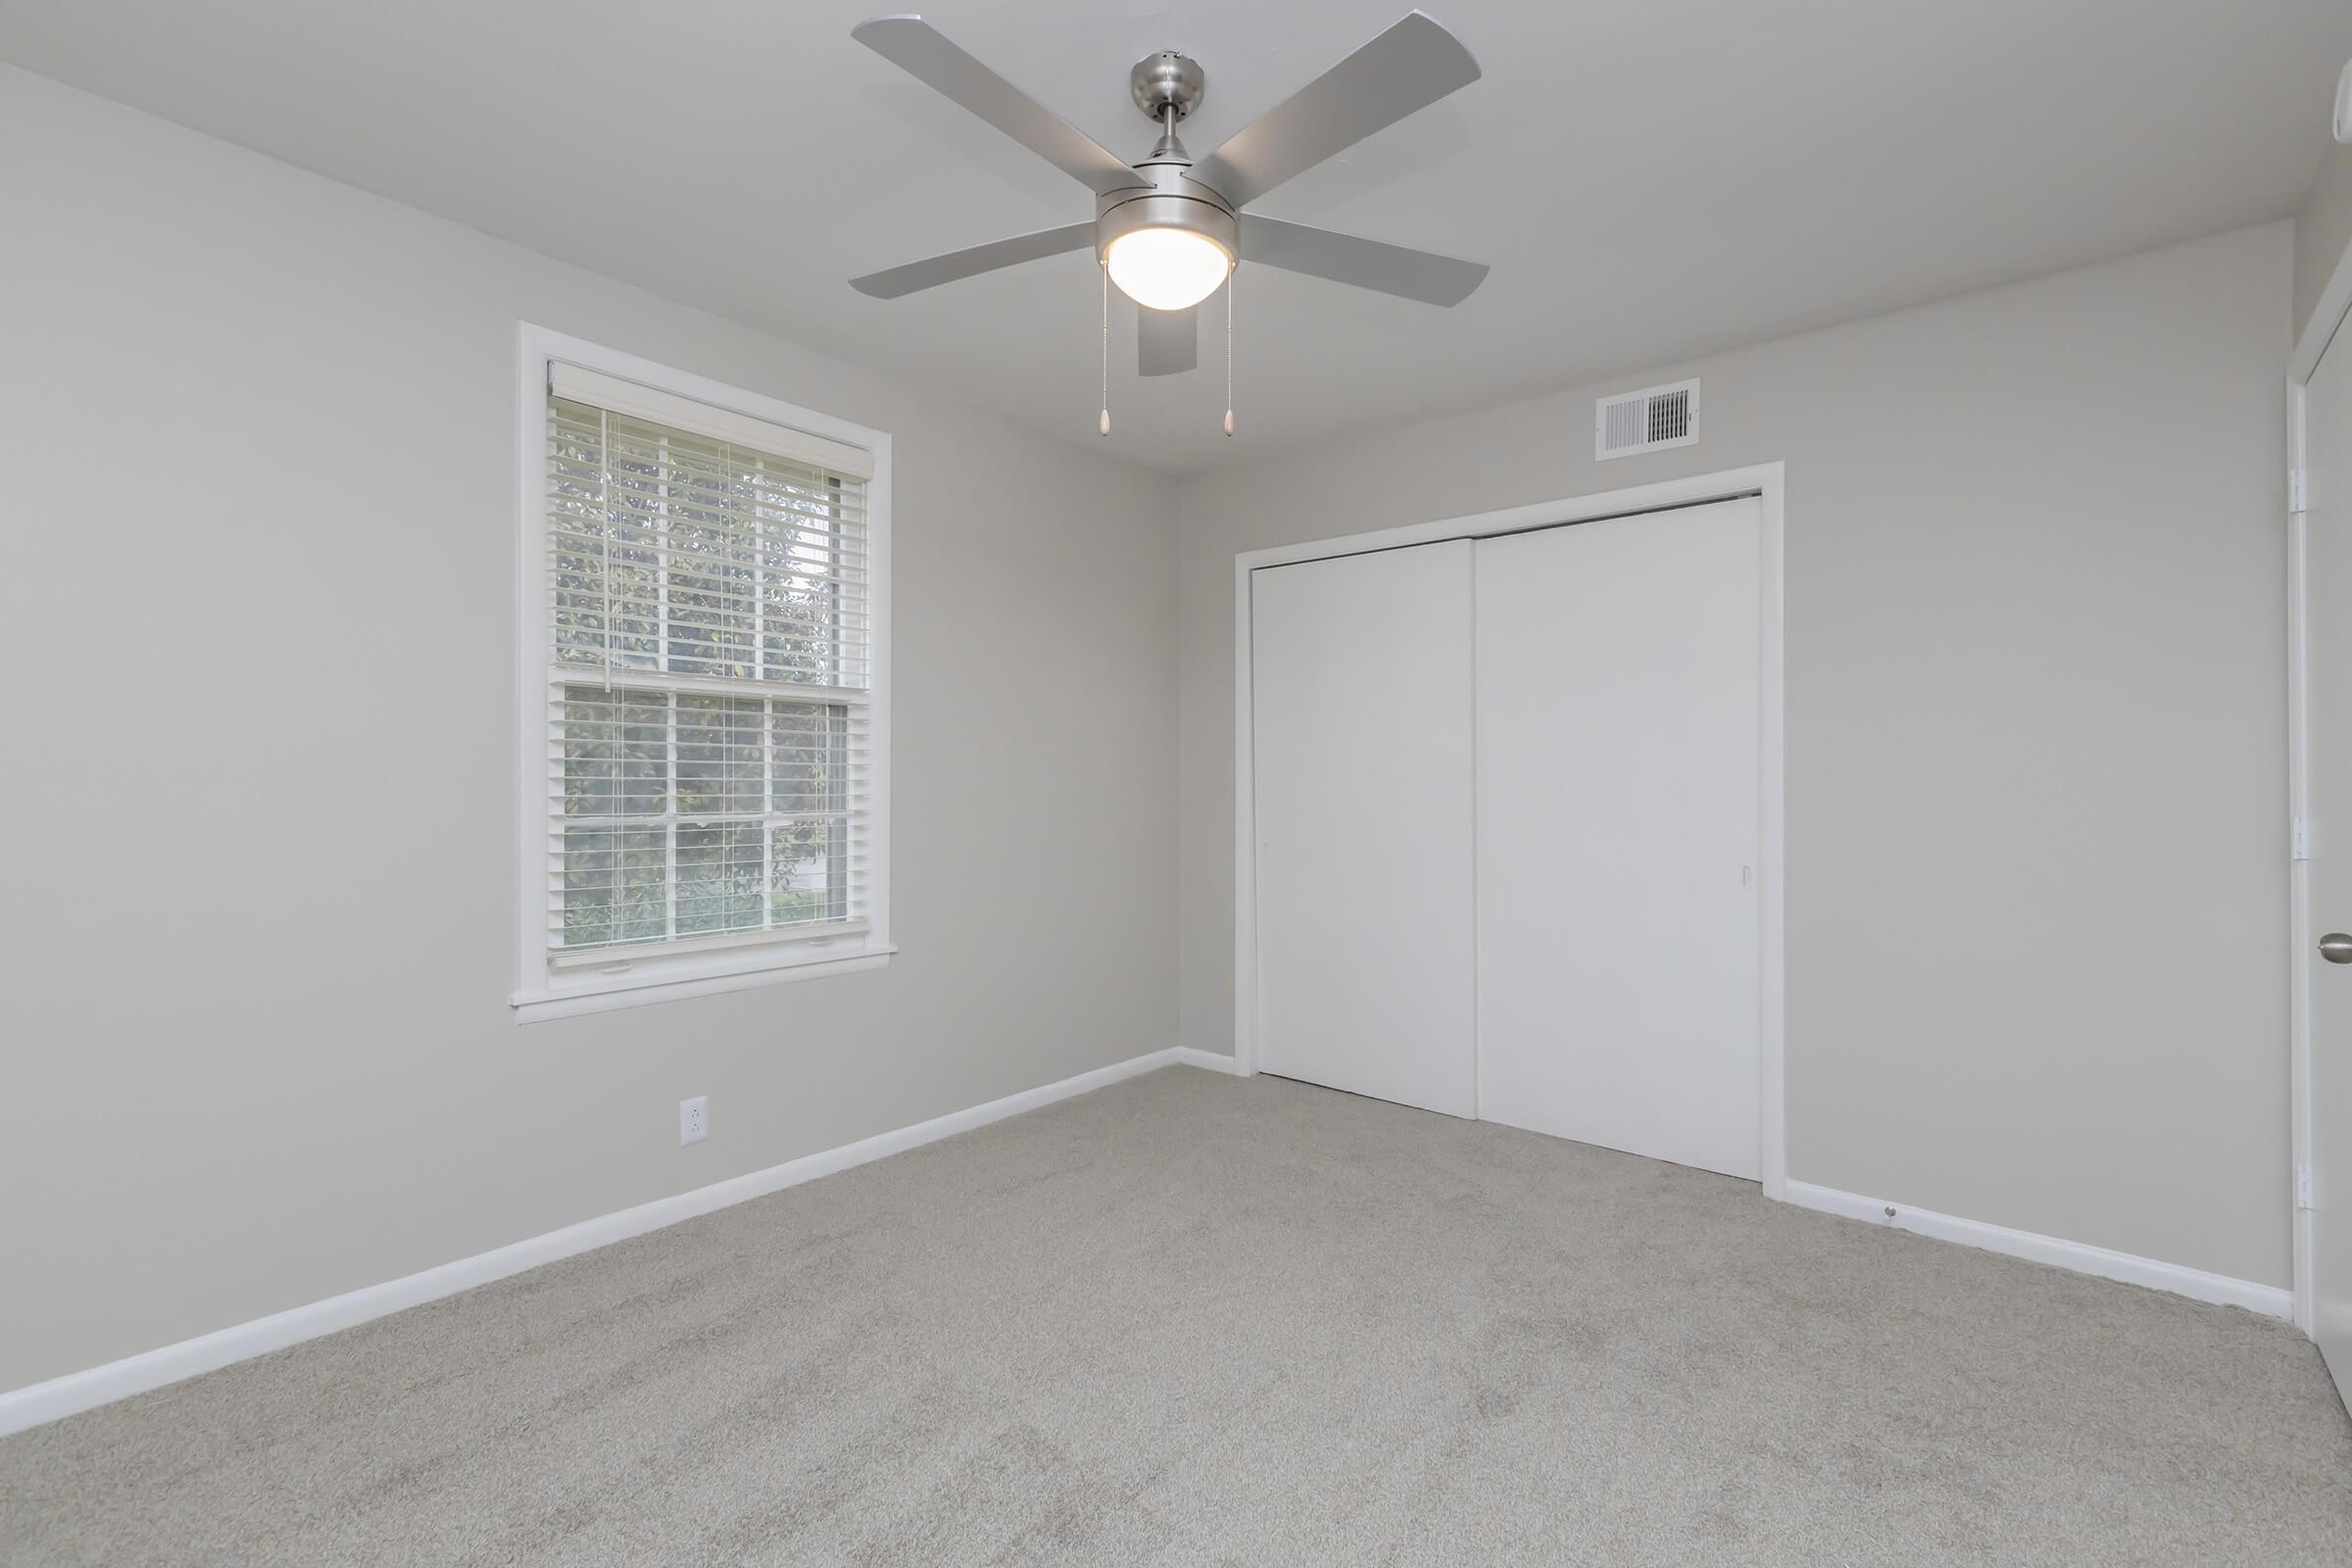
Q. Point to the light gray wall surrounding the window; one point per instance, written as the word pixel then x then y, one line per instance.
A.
pixel 258 568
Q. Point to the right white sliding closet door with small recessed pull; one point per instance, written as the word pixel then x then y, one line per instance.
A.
pixel 1619 833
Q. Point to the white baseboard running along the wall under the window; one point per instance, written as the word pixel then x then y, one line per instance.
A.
pixel 44 1402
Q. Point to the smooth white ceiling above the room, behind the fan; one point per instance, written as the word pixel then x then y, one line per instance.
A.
pixel 1650 182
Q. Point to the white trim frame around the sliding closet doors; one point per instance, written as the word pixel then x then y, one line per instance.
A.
pixel 1760 481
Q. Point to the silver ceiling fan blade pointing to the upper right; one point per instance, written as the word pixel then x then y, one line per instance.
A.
pixel 1401 72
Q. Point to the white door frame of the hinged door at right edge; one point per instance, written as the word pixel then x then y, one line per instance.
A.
pixel 2304 363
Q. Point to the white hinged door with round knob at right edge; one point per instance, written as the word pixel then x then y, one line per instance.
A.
pixel 2327 695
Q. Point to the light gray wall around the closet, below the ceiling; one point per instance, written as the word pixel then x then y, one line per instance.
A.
pixel 2036 730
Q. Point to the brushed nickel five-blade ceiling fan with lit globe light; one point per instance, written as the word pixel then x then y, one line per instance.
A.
pixel 1170 229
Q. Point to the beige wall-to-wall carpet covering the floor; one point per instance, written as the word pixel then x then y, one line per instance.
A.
pixel 1196 1320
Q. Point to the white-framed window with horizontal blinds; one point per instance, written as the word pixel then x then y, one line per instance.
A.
pixel 704 688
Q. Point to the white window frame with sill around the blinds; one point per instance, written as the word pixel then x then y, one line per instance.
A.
pixel 653 974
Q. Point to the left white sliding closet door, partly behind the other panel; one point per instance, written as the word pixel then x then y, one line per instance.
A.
pixel 1361 728
